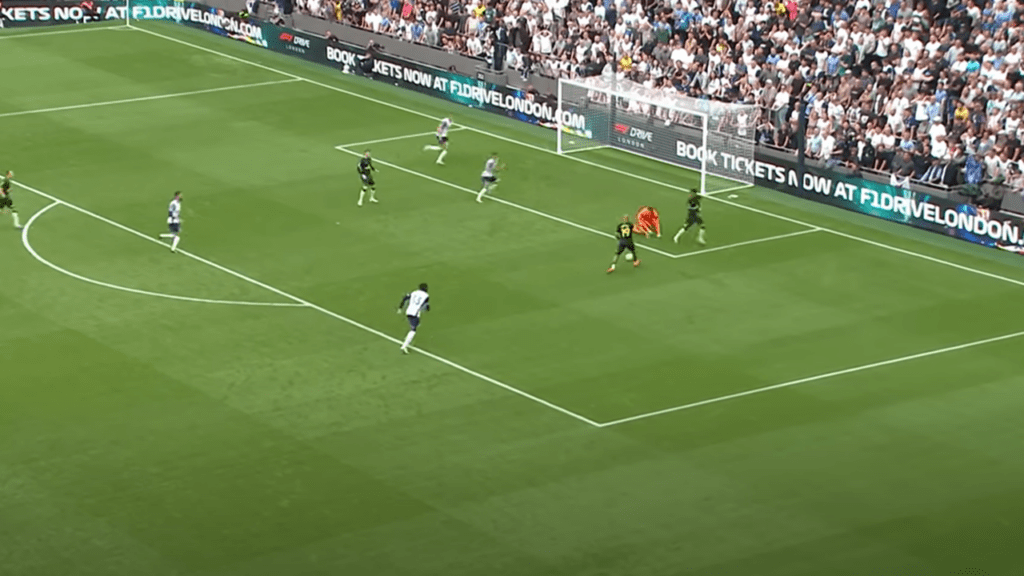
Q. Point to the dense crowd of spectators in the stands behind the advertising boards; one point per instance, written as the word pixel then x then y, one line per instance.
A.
pixel 931 91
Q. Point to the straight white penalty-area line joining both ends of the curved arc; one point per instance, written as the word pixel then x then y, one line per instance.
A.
pixel 320 309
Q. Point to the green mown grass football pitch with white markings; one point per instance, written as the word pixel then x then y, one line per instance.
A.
pixel 814 393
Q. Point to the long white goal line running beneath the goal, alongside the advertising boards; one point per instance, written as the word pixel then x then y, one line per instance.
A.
pixel 586 162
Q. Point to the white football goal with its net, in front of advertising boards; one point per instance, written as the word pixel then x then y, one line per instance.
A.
pixel 713 139
